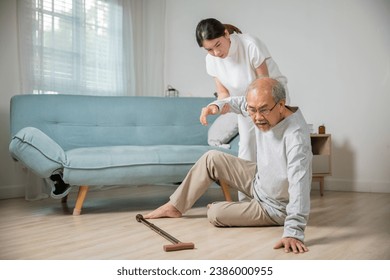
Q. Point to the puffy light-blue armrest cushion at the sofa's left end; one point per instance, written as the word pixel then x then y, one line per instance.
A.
pixel 37 151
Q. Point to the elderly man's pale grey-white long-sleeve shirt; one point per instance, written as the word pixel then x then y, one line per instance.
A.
pixel 283 179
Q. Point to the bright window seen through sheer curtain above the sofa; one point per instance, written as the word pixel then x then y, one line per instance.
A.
pixel 75 47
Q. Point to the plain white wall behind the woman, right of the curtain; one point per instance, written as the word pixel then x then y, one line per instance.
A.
pixel 336 55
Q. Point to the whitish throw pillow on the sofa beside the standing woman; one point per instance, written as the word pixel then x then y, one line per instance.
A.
pixel 223 129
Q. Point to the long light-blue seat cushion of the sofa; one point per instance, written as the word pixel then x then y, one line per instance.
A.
pixel 131 165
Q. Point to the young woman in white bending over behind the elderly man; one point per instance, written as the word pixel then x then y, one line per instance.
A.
pixel 234 60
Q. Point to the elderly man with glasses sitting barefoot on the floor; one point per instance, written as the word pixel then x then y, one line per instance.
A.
pixel 278 185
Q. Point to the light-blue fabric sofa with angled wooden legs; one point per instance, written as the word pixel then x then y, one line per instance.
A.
pixel 100 140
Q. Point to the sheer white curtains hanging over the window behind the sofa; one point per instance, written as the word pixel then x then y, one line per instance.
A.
pixel 91 47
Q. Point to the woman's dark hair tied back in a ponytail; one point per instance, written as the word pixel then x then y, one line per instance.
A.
pixel 210 28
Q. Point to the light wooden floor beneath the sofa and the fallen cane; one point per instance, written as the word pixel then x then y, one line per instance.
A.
pixel 342 226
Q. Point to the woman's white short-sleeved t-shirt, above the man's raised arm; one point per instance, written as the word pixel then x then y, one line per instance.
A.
pixel 237 70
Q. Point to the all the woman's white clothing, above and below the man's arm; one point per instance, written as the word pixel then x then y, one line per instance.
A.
pixel 236 72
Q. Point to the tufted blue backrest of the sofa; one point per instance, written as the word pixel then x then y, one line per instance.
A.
pixel 75 121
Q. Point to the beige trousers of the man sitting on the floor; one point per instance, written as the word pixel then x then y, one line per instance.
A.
pixel 214 166
